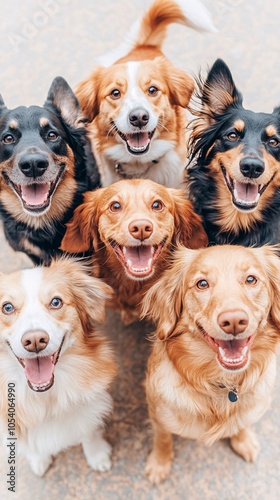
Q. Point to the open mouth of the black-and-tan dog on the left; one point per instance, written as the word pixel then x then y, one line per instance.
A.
pixel 35 197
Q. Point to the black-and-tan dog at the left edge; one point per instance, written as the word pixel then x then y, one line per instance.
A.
pixel 45 167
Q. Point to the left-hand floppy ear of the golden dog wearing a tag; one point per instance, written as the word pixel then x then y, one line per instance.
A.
pixel 164 301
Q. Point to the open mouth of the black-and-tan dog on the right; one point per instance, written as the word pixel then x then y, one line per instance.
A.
pixel 245 195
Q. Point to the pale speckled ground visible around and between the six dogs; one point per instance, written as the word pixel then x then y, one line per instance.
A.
pixel 43 39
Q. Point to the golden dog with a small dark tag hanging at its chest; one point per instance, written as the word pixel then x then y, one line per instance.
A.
pixel 213 363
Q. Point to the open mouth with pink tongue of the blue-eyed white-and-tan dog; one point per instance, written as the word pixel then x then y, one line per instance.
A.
pixel 39 370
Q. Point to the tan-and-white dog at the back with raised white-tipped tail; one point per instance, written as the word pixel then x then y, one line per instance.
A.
pixel 135 106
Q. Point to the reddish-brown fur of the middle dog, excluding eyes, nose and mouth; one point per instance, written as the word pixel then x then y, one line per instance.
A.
pixel 93 226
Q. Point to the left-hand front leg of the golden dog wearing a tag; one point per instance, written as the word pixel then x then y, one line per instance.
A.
pixel 159 462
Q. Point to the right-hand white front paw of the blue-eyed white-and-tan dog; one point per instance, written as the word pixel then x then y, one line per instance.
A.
pixel 98 455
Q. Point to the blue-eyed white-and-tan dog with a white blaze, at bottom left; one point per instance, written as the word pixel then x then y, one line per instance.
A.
pixel 54 364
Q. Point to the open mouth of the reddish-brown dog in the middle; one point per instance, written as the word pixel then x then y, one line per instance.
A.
pixel 139 261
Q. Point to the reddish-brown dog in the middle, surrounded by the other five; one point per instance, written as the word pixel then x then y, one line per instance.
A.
pixel 132 226
